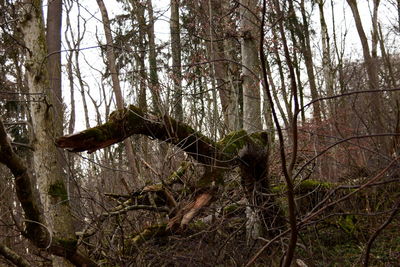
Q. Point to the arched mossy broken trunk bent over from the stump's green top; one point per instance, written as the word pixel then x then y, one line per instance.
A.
pixel 132 120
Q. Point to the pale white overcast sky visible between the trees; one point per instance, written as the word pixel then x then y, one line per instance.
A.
pixel 89 10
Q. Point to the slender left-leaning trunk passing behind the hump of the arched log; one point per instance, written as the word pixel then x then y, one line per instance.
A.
pixel 116 85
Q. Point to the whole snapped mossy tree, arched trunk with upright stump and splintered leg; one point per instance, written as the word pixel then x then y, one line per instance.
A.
pixel 249 152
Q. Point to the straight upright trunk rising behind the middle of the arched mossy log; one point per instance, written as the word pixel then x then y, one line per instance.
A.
pixel 176 60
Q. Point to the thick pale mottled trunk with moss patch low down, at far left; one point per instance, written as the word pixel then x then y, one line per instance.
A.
pixel 46 125
